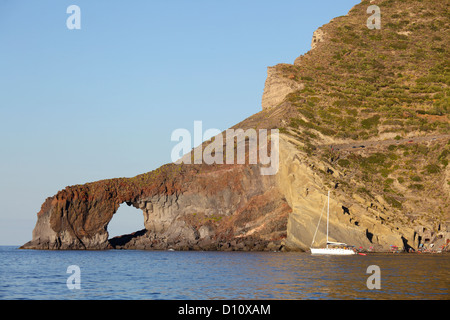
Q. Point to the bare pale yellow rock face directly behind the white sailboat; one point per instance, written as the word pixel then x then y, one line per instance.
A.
pixel 352 222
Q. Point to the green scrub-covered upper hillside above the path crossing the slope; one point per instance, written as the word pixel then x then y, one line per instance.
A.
pixel 360 83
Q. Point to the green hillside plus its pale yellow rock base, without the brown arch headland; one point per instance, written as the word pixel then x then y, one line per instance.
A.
pixel 372 122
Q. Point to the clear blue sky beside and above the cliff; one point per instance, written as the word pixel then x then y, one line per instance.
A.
pixel 101 102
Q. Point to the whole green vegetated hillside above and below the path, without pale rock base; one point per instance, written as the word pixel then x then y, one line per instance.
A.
pixel 363 85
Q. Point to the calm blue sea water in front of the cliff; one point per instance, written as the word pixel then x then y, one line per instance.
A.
pixel 28 274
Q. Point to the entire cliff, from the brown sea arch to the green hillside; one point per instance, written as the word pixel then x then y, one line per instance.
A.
pixel 363 114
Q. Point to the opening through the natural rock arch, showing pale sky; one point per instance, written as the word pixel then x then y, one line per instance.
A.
pixel 126 220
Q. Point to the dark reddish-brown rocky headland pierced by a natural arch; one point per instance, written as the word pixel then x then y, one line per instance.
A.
pixel 184 207
